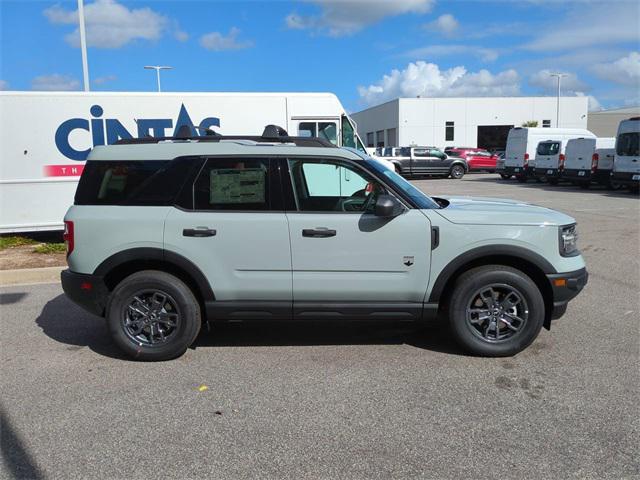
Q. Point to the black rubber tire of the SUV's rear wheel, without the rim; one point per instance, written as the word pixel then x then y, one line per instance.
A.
pixel 187 304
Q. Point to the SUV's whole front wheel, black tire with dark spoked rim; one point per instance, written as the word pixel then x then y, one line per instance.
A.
pixel 474 335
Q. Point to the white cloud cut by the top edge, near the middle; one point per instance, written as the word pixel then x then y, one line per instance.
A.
pixel 347 17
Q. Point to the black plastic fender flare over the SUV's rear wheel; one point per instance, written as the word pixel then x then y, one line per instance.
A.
pixel 150 254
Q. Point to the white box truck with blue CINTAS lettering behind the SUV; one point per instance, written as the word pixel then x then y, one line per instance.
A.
pixel 45 137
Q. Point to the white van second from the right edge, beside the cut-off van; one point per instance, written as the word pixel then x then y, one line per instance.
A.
pixel 589 160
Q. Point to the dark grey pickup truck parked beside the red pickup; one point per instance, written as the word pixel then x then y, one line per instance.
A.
pixel 416 161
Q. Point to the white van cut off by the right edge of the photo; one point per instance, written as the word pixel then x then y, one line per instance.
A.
pixel 626 164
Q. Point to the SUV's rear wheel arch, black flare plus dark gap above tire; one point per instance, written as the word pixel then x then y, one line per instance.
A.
pixel 124 263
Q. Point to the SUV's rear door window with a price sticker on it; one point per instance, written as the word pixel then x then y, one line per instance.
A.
pixel 233 184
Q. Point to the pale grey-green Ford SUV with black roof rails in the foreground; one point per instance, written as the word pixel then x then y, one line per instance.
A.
pixel 166 235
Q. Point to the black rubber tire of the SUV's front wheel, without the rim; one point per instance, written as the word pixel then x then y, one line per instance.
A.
pixel 470 283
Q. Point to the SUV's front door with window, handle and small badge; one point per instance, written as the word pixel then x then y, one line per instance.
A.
pixel 344 256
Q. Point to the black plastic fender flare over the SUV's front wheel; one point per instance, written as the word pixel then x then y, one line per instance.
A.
pixel 511 251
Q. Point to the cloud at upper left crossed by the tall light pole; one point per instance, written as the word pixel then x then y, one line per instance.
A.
pixel 110 24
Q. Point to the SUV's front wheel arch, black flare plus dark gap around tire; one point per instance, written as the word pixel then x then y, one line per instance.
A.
pixel 532 264
